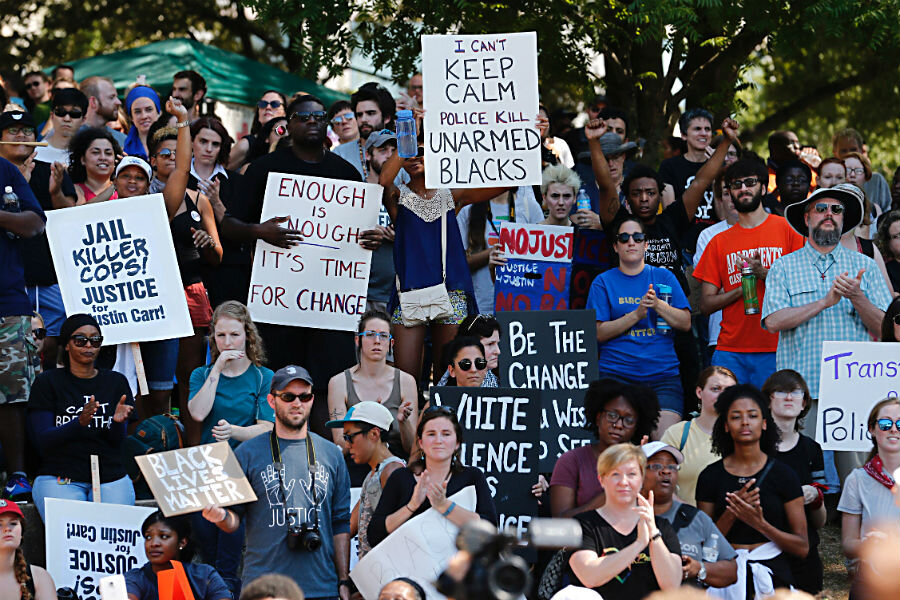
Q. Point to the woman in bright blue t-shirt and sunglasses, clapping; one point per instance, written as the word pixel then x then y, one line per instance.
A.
pixel 634 324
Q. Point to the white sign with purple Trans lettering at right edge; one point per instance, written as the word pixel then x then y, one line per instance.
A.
pixel 854 377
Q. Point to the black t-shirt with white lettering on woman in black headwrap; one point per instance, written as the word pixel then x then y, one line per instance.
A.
pixel 64 395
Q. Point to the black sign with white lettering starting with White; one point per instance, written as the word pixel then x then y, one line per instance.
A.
pixel 500 431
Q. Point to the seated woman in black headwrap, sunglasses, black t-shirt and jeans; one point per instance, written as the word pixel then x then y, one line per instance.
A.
pixel 77 411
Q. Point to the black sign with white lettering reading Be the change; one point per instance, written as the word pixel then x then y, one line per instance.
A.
pixel 553 351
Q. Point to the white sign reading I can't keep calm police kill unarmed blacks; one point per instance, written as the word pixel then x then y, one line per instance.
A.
pixel 482 97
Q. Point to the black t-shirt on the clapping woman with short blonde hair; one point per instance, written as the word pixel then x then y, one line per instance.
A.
pixel 633 583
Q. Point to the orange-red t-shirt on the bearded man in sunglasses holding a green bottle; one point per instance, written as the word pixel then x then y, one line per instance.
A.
pixel 721 266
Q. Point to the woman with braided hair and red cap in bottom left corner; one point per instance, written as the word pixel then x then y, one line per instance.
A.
pixel 18 579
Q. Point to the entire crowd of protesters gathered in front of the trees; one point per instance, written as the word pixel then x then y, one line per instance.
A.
pixel 710 283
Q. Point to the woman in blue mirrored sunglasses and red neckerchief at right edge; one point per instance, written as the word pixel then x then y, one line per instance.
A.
pixel 867 502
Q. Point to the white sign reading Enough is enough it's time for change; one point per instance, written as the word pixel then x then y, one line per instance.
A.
pixel 322 281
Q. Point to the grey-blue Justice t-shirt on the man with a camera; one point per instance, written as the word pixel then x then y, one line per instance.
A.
pixel 267 550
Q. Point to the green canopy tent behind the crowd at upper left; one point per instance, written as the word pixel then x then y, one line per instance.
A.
pixel 229 77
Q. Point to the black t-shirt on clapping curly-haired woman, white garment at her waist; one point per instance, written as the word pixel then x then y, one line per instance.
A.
pixel 779 486
